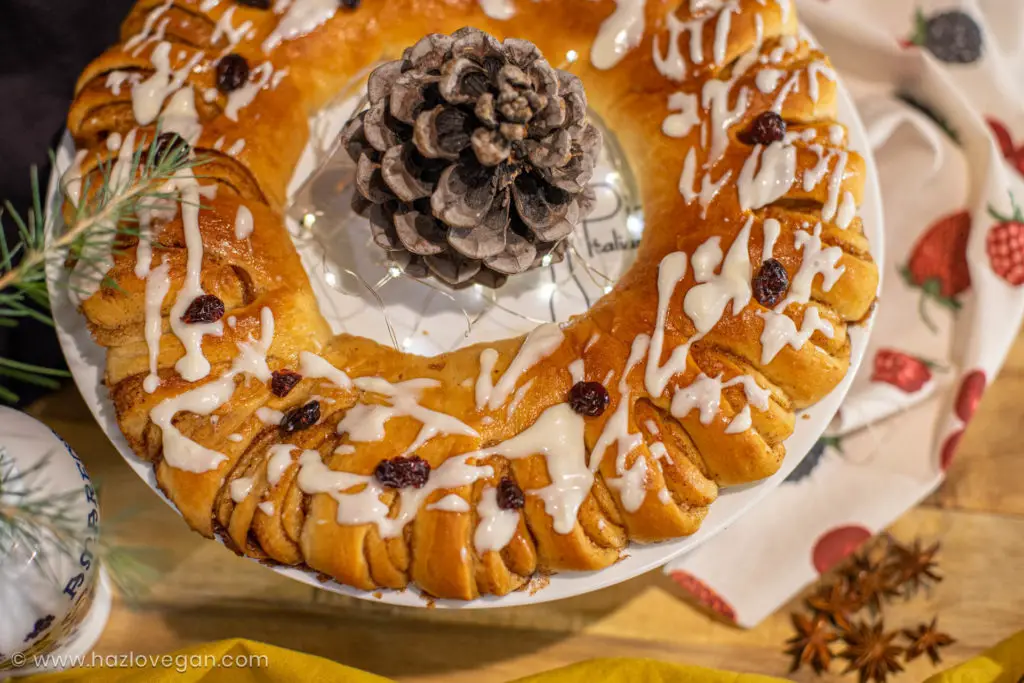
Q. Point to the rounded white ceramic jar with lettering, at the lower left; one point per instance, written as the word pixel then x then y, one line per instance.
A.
pixel 54 599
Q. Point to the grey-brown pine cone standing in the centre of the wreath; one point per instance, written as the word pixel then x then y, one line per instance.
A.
pixel 474 158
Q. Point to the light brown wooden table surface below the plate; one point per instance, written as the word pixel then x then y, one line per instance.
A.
pixel 202 592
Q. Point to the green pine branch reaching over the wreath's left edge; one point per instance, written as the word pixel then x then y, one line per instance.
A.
pixel 106 215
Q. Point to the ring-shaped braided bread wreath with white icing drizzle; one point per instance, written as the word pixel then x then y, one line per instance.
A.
pixel 707 379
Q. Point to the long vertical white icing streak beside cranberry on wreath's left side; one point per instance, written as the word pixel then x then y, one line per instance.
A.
pixel 193 366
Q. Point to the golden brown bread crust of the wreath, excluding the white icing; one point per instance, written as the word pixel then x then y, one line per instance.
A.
pixel 687 458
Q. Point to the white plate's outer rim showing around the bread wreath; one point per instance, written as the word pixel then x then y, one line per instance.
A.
pixel 72 332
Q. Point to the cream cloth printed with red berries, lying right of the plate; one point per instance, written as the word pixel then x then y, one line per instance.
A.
pixel 938 84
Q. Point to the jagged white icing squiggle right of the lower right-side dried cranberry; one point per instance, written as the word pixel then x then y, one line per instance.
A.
pixel 781 330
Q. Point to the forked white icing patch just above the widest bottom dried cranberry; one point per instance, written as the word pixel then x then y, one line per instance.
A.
pixel 366 422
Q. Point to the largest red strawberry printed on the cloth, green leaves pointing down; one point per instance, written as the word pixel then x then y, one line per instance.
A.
pixel 938 263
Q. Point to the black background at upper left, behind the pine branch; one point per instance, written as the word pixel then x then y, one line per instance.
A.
pixel 45 45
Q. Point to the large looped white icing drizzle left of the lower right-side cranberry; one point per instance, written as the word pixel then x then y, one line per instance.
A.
pixel 705 304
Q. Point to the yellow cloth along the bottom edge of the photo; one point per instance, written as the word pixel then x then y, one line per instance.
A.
pixel 1003 664
